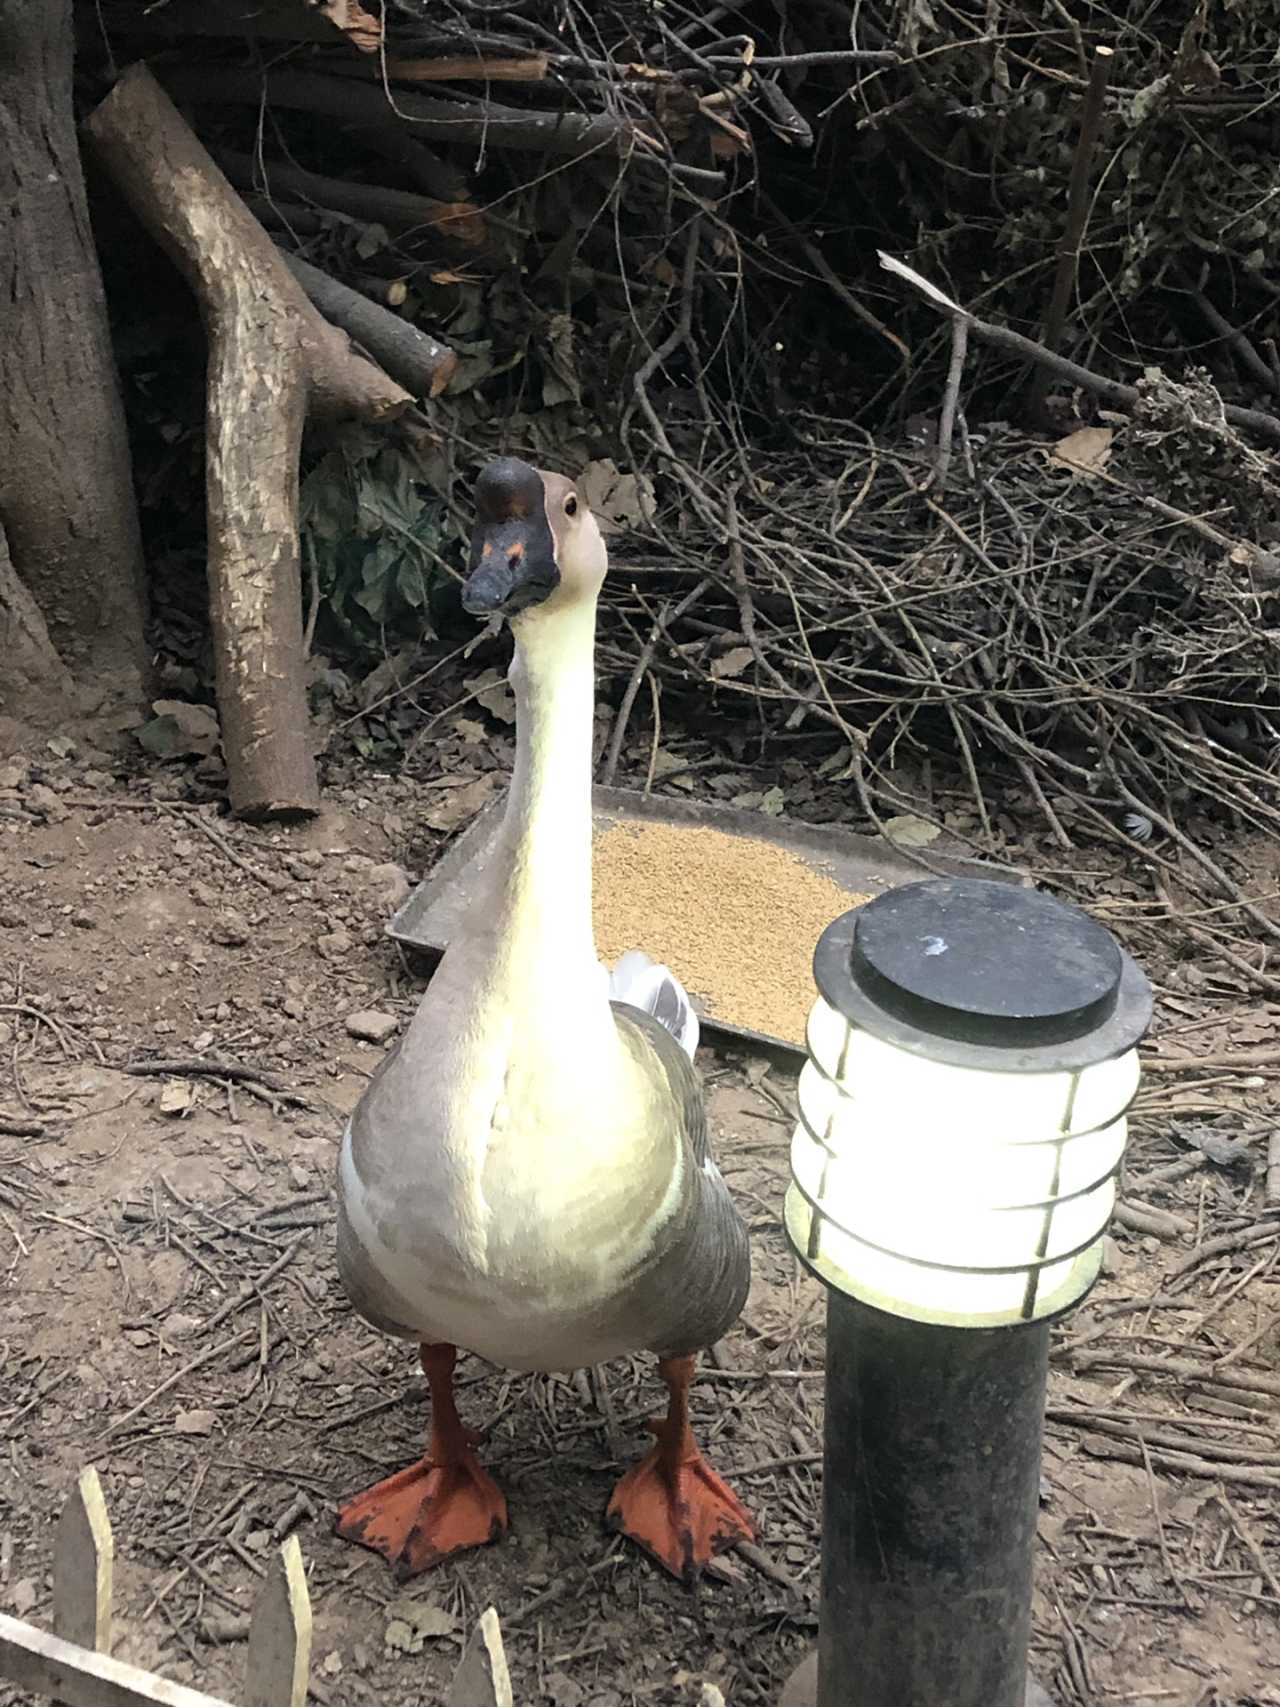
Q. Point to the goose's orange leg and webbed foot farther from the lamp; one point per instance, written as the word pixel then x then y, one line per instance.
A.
pixel 438 1506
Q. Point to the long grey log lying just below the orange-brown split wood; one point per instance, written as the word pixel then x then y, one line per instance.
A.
pixel 356 102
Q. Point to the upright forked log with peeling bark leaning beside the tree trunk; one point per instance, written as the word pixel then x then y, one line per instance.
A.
pixel 272 359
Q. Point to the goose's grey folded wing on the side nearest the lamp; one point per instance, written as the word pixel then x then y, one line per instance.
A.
pixel 695 1290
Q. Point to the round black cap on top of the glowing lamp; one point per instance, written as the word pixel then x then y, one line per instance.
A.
pixel 980 974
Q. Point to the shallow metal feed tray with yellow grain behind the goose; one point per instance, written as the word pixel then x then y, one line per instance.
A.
pixel 752 941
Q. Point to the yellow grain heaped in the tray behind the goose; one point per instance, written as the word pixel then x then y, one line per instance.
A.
pixel 736 919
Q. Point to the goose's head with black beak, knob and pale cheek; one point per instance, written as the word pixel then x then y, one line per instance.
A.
pixel 537 544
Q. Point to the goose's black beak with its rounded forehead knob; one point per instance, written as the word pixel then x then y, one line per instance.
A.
pixel 513 554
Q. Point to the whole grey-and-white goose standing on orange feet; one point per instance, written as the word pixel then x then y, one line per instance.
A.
pixel 528 1175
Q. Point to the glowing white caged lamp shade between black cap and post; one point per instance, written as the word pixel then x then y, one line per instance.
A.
pixel 950 1194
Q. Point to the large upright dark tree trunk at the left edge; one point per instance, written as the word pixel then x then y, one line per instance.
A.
pixel 67 501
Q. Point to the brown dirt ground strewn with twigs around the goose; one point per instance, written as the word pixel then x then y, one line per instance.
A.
pixel 170 1308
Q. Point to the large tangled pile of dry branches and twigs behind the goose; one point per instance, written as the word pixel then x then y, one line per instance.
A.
pixel 649 233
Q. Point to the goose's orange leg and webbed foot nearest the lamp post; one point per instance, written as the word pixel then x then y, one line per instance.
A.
pixel 673 1503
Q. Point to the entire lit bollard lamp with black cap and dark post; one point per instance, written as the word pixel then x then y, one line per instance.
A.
pixel 972 1061
